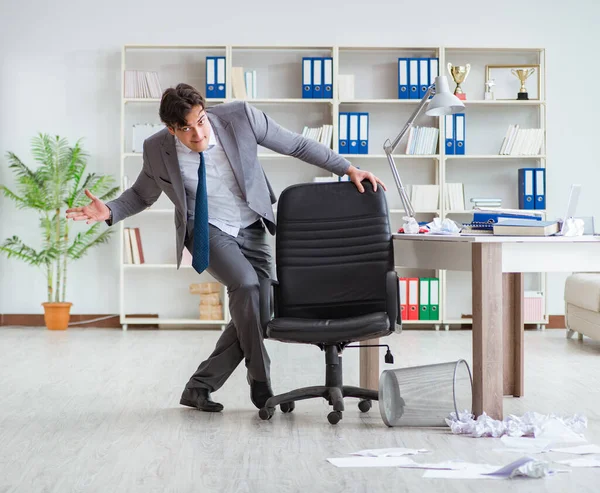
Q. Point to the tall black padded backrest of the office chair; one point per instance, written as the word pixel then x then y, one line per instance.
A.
pixel 333 250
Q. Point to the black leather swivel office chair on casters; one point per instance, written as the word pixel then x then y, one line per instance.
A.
pixel 336 282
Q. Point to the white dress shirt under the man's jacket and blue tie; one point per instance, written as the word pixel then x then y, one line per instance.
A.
pixel 227 209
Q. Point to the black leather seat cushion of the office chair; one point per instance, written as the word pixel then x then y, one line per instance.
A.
pixel 329 331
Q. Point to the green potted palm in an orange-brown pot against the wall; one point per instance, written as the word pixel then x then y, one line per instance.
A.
pixel 56 184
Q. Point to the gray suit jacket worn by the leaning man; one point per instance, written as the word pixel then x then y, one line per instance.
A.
pixel 240 128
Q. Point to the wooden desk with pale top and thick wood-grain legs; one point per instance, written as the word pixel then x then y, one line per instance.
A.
pixel 497 264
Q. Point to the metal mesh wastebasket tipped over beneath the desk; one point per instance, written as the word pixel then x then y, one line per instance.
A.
pixel 425 395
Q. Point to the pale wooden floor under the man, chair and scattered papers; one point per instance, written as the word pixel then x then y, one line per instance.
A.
pixel 91 410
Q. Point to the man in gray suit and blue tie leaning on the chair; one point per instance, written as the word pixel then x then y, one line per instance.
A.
pixel 206 161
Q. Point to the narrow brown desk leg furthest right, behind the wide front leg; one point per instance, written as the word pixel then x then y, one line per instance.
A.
pixel 512 313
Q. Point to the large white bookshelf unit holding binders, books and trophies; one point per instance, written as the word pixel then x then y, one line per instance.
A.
pixel 482 170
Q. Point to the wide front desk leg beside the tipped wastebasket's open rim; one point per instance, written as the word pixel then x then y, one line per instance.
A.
pixel 487 329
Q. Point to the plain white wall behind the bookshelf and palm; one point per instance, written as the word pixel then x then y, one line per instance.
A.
pixel 60 63
